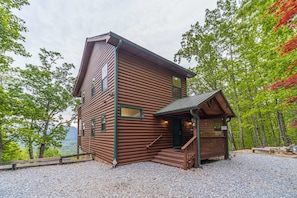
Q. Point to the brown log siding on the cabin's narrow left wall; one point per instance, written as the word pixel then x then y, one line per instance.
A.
pixel 101 103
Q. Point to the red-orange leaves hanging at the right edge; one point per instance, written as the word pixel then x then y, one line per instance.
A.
pixel 286 12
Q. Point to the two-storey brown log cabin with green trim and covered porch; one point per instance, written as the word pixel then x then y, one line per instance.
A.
pixel 134 108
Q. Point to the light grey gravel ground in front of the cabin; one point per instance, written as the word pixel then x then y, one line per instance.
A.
pixel 246 175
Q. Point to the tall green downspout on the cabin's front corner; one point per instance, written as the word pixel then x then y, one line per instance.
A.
pixel 115 141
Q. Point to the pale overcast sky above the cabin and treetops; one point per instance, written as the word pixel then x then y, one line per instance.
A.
pixel 63 26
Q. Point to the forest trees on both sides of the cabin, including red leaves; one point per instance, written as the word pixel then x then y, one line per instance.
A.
pixel 246 48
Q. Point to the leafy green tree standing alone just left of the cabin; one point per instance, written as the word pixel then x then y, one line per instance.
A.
pixel 47 94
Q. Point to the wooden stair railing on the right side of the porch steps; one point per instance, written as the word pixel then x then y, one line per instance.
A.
pixel 190 153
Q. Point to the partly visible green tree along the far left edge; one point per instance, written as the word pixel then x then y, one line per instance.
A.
pixel 11 28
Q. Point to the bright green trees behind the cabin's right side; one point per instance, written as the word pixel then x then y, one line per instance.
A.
pixel 235 51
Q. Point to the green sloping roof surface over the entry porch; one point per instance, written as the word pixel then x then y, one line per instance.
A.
pixel 185 104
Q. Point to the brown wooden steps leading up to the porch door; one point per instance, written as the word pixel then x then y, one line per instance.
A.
pixel 171 157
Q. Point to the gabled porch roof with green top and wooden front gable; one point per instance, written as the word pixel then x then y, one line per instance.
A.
pixel 198 102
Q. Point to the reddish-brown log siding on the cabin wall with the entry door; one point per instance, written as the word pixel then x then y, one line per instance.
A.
pixel 143 84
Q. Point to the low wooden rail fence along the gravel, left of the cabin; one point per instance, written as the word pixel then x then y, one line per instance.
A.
pixel 49 161
